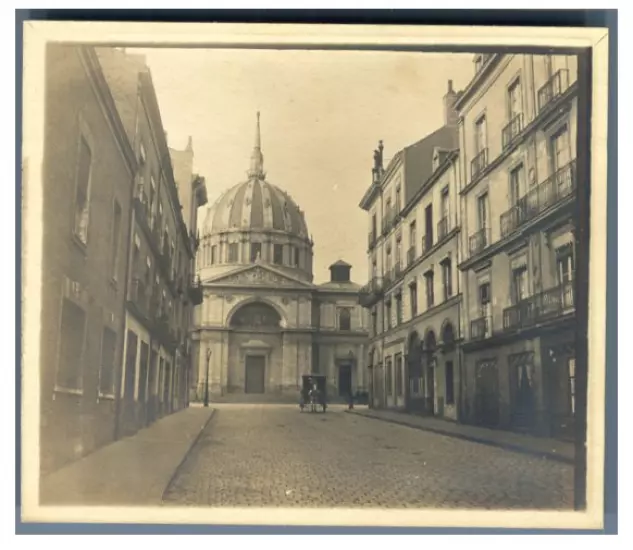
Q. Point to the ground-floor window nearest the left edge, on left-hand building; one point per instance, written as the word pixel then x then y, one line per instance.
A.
pixel 71 346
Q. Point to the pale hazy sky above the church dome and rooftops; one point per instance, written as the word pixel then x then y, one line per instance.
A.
pixel 322 114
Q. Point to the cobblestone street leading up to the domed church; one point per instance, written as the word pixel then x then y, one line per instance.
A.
pixel 267 455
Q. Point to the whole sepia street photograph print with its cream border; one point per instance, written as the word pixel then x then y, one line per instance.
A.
pixel 313 275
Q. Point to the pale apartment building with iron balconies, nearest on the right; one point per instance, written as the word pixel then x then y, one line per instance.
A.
pixel 518 128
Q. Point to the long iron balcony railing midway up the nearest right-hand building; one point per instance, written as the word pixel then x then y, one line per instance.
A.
pixel 550 192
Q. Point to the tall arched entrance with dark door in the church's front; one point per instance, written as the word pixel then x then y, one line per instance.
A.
pixel 255 349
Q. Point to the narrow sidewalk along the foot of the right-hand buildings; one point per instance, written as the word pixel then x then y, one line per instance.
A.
pixel 553 449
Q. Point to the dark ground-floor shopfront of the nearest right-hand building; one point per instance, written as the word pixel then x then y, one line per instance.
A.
pixel 522 382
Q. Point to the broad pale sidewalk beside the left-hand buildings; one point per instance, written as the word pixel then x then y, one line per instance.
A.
pixel 133 471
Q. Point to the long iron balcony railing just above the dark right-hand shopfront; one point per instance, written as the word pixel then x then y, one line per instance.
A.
pixel 543 306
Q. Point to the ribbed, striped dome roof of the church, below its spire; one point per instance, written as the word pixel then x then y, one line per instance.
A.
pixel 256 205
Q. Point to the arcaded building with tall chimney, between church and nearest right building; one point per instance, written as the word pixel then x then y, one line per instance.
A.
pixel 413 292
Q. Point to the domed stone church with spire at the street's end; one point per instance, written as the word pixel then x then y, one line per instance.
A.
pixel 263 322
